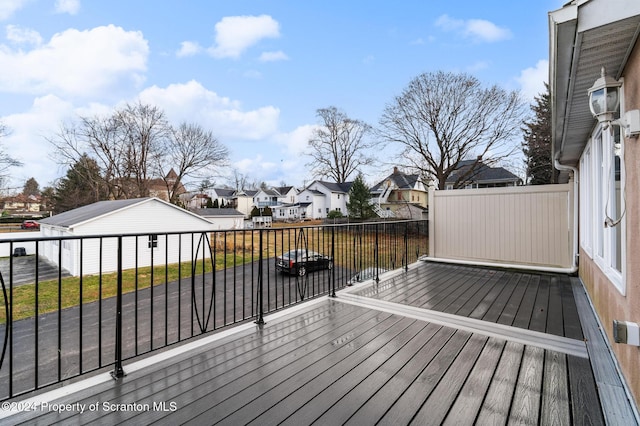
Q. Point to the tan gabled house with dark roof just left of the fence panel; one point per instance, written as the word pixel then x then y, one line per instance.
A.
pixel 396 192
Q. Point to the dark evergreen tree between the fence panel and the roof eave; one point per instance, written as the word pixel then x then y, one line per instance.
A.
pixel 537 142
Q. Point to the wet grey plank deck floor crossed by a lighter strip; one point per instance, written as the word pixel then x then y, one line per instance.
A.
pixel 438 344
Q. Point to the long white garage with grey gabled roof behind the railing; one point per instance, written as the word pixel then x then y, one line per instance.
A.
pixel 152 217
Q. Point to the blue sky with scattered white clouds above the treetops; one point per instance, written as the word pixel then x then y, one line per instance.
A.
pixel 253 72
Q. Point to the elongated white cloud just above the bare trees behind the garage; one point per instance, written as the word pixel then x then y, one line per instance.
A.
pixel 192 102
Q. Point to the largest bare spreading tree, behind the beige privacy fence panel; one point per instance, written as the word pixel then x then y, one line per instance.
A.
pixel 443 118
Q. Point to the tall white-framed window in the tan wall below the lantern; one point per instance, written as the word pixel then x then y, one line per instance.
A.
pixel 602 221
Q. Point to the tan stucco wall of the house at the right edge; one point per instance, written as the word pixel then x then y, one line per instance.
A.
pixel 608 301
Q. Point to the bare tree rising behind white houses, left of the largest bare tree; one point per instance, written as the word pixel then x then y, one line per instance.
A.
pixel 339 147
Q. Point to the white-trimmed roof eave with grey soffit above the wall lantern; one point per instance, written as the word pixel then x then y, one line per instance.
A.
pixel 584 37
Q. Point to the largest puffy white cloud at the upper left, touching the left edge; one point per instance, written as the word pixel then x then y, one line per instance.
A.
pixel 78 63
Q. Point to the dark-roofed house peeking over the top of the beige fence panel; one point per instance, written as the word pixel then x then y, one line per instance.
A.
pixel 476 174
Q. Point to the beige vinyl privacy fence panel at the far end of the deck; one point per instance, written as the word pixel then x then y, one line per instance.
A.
pixel 525 225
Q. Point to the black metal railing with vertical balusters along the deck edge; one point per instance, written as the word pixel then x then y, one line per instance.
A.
pixel 73 305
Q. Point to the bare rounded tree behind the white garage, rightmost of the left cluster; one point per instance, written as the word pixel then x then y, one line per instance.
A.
pixel 191 152
